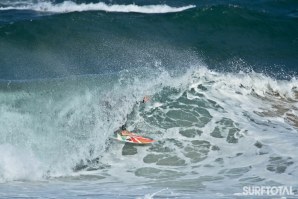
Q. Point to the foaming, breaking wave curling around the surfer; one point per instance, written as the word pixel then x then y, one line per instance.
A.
pixel 62 127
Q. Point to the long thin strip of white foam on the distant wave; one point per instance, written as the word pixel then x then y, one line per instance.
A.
pixel 69 6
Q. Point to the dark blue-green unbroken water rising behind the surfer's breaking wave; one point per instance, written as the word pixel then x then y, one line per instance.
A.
pixel 263 35
